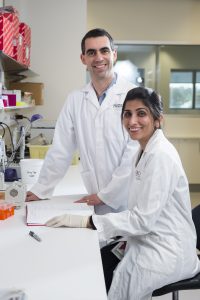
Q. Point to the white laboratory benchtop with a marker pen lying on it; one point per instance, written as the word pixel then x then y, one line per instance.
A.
pixel 65 265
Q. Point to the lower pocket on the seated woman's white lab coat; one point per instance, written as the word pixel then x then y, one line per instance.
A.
pixel 158 254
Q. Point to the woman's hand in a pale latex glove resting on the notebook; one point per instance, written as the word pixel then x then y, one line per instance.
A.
pixel 68 221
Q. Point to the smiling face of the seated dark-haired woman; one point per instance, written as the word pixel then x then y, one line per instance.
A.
pixel 139 122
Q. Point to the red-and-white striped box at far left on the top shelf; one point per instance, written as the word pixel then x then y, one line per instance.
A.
pixel 9 33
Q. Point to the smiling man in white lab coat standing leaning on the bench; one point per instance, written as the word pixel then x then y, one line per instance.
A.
pixel 90 121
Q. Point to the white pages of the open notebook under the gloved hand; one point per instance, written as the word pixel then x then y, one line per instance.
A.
pixel 38 213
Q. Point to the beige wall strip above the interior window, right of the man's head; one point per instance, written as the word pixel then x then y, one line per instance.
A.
pixel 147 20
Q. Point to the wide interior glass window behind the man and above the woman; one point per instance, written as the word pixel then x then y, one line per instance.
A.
pixel 172 70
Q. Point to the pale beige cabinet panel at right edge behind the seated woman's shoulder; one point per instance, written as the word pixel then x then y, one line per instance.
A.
pixel 189 151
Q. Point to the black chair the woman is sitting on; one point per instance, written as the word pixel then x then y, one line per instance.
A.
pixel 187 284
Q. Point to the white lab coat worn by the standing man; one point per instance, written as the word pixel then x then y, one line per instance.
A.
pixel 104 147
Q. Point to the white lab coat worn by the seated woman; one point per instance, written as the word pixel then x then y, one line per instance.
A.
pixel 161 238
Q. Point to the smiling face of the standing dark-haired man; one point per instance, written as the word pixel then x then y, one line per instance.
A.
pixel 99 57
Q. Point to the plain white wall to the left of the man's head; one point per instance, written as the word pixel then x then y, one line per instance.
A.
pixel 57 29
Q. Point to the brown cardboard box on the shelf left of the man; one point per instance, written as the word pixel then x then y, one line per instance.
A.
pixel 36 88
